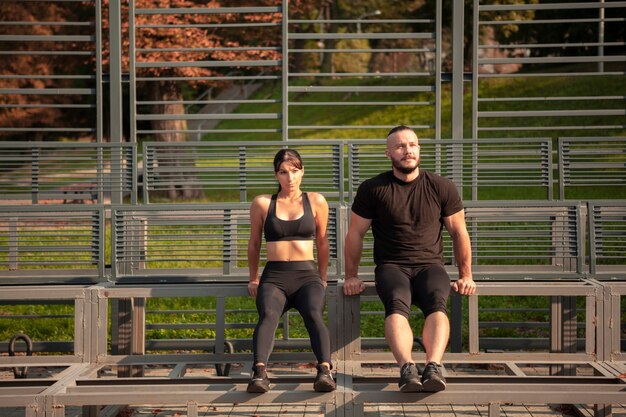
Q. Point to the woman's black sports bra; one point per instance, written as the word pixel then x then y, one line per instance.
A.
pixel 300 229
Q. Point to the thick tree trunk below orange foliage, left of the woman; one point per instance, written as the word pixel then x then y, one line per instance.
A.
pixel 182 182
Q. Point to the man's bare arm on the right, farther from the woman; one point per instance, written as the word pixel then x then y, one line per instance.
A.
pixel 455 224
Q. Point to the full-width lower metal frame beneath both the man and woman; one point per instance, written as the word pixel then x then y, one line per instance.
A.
pixel 356 389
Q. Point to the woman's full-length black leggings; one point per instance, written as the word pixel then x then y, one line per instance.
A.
pixel 286 285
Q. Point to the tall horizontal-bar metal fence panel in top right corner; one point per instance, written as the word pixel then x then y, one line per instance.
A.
pixel 580 60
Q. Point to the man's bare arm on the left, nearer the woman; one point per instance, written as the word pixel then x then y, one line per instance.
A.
pixel 352 253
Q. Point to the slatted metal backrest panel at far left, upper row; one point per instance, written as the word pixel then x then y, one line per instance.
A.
pixel 61 173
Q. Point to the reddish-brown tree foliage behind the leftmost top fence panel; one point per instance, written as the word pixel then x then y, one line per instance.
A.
pixel 31 63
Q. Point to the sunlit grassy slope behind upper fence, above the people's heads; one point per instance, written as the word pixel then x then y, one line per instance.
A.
pixel 391 115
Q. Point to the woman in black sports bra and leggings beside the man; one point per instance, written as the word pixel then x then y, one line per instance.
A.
pixel 292 222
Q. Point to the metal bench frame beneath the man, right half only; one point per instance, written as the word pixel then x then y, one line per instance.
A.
pixel 514 385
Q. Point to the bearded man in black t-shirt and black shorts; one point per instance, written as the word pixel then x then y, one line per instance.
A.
pixel 407 210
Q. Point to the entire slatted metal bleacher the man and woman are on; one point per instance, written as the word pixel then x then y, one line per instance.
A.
pixel 567 252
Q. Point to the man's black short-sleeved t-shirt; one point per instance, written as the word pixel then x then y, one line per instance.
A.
pixel 407 217
